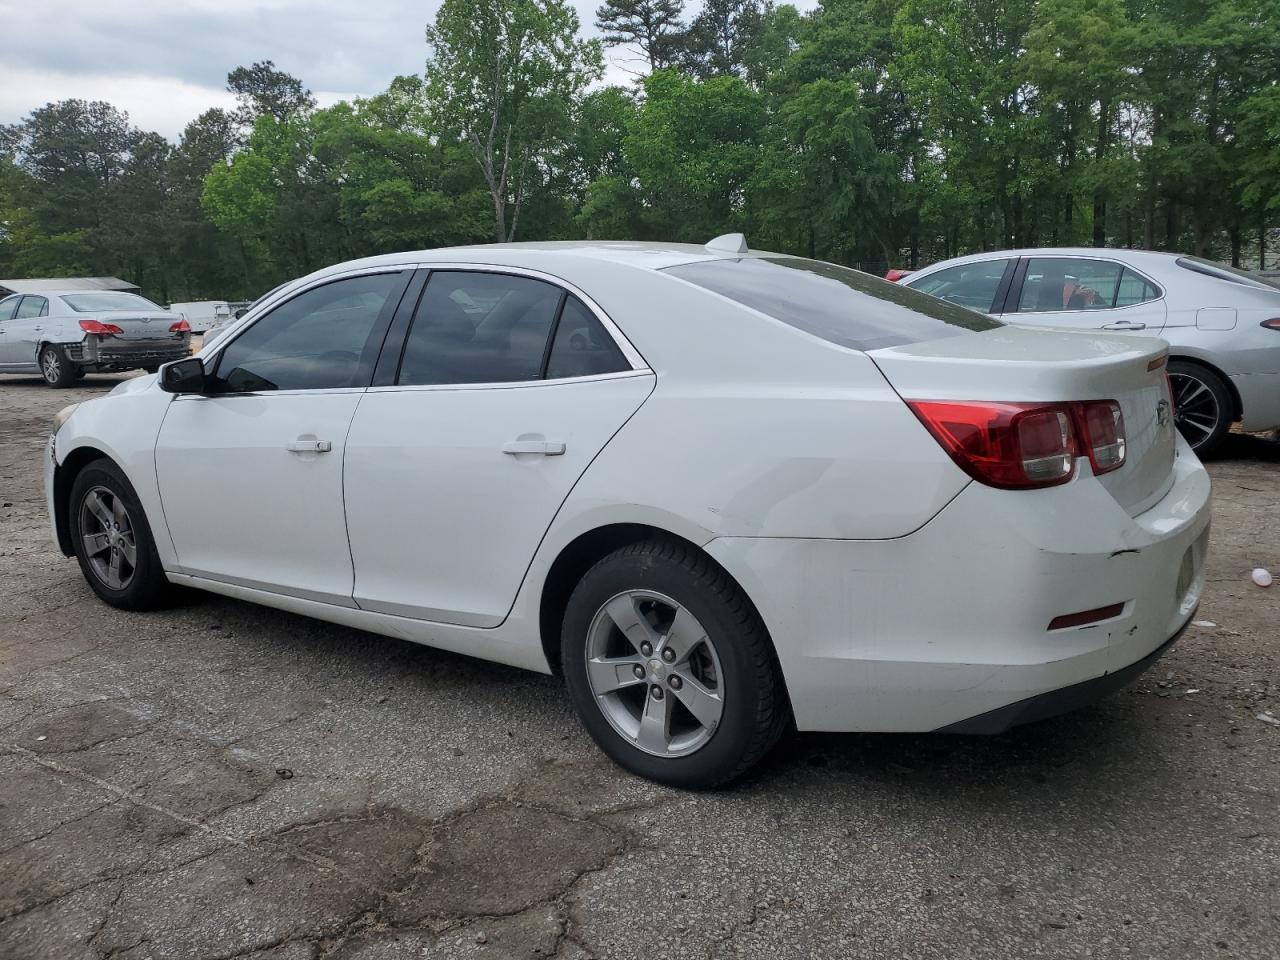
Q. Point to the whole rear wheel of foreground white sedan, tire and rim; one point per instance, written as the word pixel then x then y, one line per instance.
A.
pixel 721 662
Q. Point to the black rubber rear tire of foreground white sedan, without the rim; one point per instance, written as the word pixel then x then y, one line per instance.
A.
pixel 756 703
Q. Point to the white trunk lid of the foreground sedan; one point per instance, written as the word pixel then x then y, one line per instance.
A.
pixel 1017 364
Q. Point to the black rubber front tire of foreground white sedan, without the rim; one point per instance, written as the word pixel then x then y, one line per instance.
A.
pixel 149 589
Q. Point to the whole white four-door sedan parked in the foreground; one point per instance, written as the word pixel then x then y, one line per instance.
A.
pixel 720 491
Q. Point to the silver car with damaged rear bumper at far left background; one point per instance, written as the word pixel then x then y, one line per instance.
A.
pixel 63 335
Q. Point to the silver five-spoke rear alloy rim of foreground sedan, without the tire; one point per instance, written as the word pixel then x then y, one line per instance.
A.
pixel 655 674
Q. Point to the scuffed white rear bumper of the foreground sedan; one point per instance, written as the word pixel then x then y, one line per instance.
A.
pixel 952 623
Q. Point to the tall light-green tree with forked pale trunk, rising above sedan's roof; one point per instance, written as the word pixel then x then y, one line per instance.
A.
pixel 505 74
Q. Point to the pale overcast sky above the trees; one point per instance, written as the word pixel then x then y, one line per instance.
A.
pixel 166 62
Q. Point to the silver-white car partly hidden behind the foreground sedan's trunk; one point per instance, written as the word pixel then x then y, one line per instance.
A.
pixel 1223 324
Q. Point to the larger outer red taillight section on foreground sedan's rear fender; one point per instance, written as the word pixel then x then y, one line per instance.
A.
pixel 1011 446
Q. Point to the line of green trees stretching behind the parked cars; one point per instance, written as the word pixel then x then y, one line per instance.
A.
pixel 868 132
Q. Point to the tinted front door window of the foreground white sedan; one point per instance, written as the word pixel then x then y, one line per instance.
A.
pixel 321 340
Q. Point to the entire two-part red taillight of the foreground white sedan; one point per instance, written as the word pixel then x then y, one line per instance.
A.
pixel 1026 446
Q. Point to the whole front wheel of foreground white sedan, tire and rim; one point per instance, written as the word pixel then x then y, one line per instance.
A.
pixel 102 495
